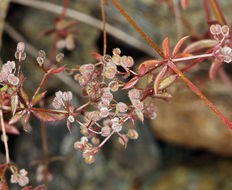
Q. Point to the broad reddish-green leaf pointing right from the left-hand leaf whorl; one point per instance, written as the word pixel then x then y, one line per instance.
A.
pixel 47 117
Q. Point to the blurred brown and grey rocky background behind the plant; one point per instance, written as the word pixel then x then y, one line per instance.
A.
pixel 185 148
